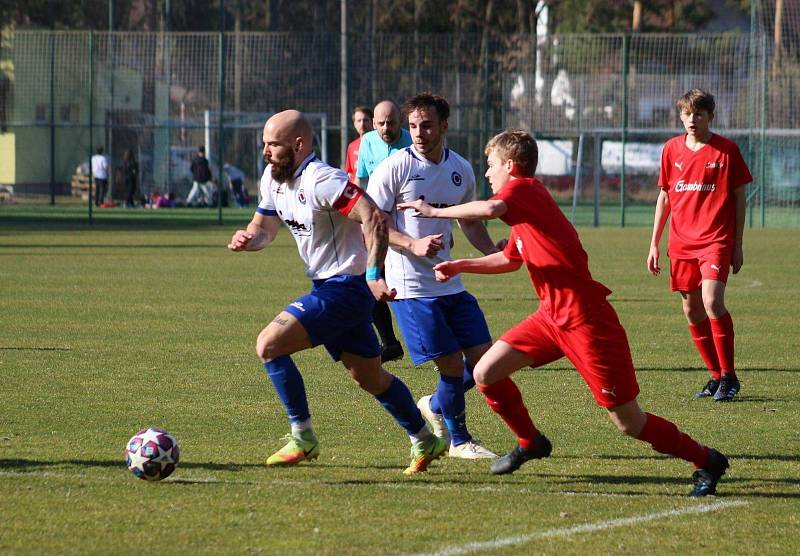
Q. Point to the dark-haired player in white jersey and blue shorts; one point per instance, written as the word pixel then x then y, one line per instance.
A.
pixel 440 322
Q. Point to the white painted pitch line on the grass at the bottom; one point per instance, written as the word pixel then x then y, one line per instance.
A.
pixel 585 528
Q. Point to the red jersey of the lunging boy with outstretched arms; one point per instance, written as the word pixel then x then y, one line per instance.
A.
pixel 543 238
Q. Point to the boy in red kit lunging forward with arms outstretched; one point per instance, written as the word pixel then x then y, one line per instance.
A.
pixel 574 318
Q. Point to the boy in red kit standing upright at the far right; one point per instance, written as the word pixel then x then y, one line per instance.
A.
pixel 702 178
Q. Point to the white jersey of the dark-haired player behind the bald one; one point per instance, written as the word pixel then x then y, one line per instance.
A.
pixel 407 176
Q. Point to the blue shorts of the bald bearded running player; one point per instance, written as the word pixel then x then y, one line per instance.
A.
pixel 337 313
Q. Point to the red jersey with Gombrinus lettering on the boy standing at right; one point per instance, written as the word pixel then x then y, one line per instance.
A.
pixel 700 186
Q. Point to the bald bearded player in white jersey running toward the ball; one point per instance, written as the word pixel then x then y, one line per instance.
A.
pixel 323 212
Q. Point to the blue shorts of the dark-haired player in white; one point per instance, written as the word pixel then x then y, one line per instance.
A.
pixel 437 326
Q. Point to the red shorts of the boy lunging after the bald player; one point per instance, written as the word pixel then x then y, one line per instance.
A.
pixel 598 348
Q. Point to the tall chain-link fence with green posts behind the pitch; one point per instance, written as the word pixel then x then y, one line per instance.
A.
pixel 600 105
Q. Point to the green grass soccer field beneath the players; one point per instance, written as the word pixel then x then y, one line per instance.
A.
pixel 145 321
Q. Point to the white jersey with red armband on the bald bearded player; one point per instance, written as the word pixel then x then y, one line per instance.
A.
pixel 329 243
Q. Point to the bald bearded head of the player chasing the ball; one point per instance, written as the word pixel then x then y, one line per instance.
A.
pixel 288 140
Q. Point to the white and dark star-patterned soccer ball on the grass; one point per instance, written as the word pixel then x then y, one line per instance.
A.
pixel 152 454
